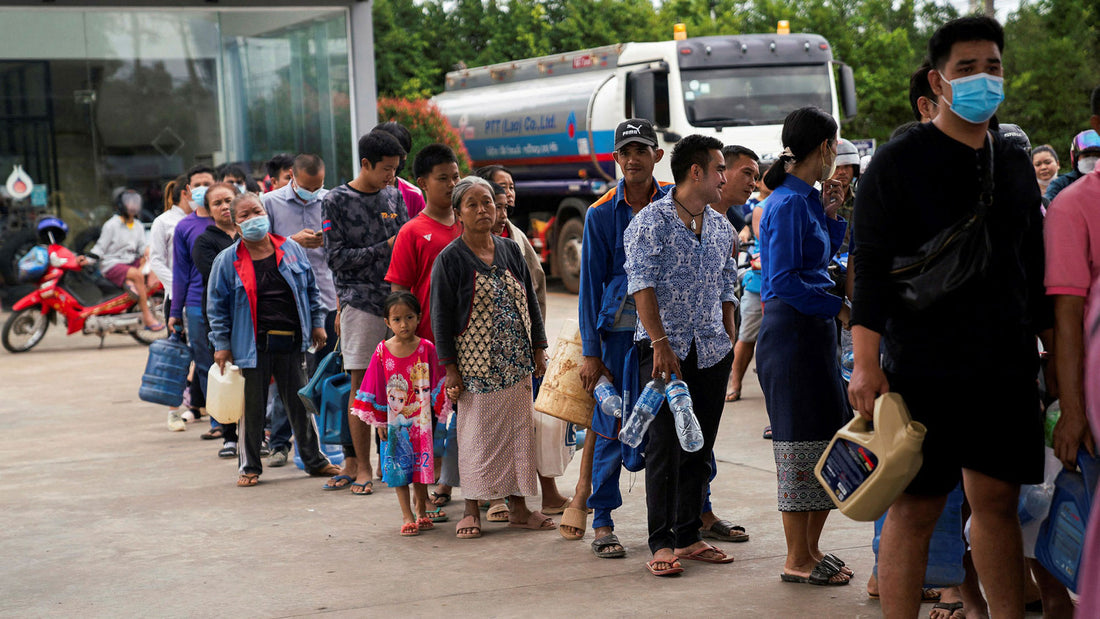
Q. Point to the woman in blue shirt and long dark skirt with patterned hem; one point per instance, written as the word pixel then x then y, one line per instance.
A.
pixel 797 347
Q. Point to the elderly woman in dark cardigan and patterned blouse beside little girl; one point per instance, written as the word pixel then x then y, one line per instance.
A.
pixel 490 339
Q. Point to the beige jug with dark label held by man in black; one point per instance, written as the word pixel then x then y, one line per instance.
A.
pixel 888 456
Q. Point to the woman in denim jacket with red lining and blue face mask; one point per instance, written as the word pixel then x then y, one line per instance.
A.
pixel 265 311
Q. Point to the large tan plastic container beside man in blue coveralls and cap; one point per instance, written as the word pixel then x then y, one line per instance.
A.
pixel 563 395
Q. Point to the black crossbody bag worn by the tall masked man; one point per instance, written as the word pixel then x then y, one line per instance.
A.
pixel 954 258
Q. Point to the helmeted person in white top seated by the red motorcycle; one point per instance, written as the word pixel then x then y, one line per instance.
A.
pixel 122 253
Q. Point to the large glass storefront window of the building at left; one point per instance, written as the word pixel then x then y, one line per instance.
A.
pixel 93 102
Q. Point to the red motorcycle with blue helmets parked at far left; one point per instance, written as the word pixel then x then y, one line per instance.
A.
pixel 89 303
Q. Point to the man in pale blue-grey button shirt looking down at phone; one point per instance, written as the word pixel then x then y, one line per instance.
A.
pixel 295 213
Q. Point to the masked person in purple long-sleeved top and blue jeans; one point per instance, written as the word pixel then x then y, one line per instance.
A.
pixel 188 286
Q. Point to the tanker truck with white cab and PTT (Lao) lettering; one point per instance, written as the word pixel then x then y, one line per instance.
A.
pixel 552 120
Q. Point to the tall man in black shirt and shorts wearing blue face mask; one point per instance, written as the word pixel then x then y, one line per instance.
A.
pixel 980 403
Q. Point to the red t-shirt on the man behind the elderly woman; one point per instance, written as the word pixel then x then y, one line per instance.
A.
pixel 420 241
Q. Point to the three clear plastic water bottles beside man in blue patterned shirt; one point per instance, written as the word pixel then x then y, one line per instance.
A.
pixel 650 403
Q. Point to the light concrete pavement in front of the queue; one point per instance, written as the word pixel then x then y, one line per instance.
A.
pixel 107 514
